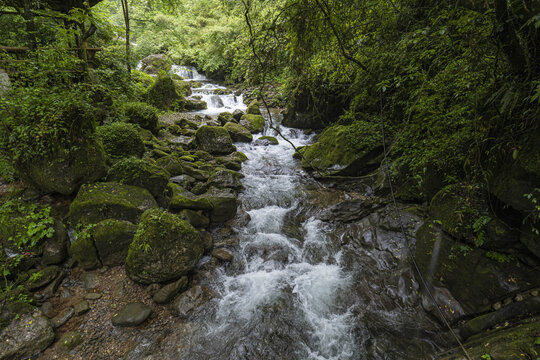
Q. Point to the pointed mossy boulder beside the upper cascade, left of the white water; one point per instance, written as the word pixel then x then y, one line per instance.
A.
pixel 164 93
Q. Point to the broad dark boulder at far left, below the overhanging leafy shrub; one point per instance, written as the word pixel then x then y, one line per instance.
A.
pixel 65 170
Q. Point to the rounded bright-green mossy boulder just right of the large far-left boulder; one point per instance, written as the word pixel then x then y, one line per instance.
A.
pixel 121 140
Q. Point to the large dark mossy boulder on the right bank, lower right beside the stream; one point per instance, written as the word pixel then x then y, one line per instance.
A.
pixel 476 278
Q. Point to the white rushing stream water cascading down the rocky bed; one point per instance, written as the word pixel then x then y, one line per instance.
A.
pixel 300 286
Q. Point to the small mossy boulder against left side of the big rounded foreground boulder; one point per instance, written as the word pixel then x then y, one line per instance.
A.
pixel 112 239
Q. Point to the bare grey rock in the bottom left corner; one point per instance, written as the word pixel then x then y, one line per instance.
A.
pixel 26 336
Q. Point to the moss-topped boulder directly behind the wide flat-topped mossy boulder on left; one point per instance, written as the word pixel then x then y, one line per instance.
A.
pixel 142 173
